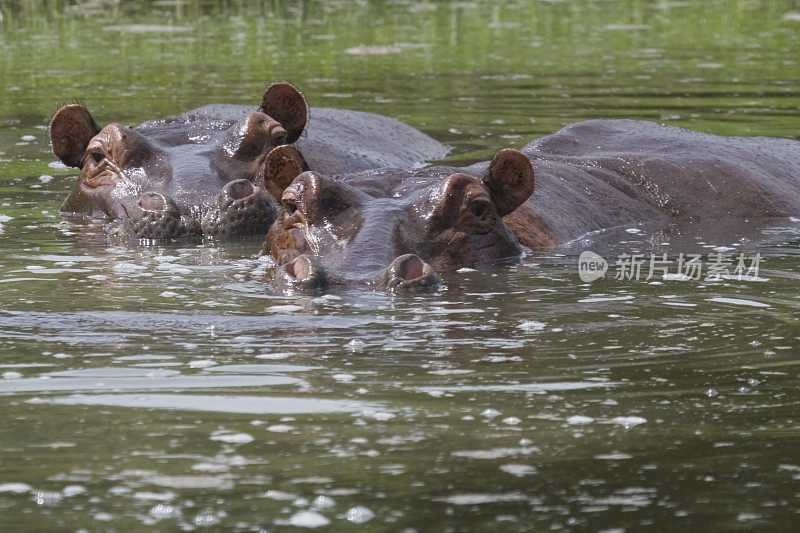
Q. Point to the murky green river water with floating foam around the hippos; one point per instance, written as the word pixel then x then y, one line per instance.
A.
pixel 174 387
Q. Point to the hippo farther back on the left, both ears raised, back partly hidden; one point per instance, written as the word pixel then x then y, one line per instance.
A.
pixel 203 172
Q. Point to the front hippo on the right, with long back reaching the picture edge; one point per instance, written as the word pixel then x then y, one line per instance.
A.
pixel 395 228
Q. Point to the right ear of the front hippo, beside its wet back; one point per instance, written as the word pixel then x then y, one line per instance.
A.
pixel 509 179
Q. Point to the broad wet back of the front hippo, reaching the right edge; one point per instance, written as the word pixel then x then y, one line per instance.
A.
pixel 605 173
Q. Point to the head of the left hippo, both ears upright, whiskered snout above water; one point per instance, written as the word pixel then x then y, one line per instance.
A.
pixel 197 174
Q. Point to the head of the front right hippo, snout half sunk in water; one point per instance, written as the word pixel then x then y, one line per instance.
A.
pixel 336 230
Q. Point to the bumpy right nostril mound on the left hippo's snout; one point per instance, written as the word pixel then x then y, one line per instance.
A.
pixel 242 209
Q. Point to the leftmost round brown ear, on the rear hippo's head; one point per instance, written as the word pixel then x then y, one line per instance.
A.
pixel 70 132
